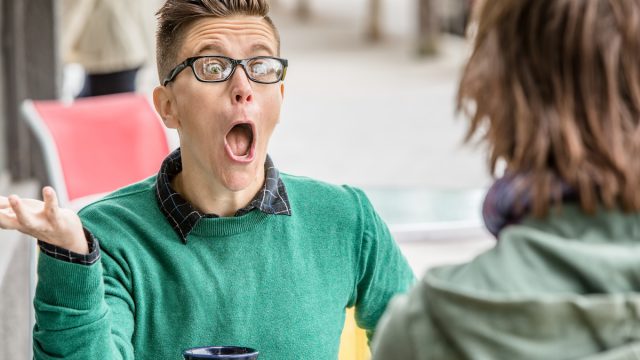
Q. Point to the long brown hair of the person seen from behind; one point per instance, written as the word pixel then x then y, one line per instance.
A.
pixel 553 87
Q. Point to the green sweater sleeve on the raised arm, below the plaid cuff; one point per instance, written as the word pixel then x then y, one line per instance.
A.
pixel 82 312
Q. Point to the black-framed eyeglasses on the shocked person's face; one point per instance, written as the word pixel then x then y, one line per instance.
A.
pixel 214 68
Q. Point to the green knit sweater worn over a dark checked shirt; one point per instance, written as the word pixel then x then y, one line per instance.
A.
pixel 279 284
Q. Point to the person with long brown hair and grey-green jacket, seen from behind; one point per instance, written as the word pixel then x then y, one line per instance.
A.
pixel 553 88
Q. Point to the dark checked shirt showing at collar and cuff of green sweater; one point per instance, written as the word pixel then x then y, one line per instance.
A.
pixel 183 217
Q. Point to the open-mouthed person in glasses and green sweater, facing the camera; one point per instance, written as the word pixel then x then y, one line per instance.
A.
pixel 219 248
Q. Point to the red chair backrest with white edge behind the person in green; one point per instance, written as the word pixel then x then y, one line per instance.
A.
pixel 97 145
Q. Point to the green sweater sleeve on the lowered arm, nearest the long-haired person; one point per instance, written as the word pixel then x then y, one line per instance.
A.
pixel 382 269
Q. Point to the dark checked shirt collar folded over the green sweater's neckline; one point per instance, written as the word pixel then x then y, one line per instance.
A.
pixel 183 217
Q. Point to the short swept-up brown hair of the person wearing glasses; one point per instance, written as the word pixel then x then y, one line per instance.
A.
pixel 175 16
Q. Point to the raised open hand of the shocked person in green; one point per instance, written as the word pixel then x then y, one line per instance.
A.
pixel 44 220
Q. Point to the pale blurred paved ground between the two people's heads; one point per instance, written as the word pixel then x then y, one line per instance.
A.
pixel 371 114
